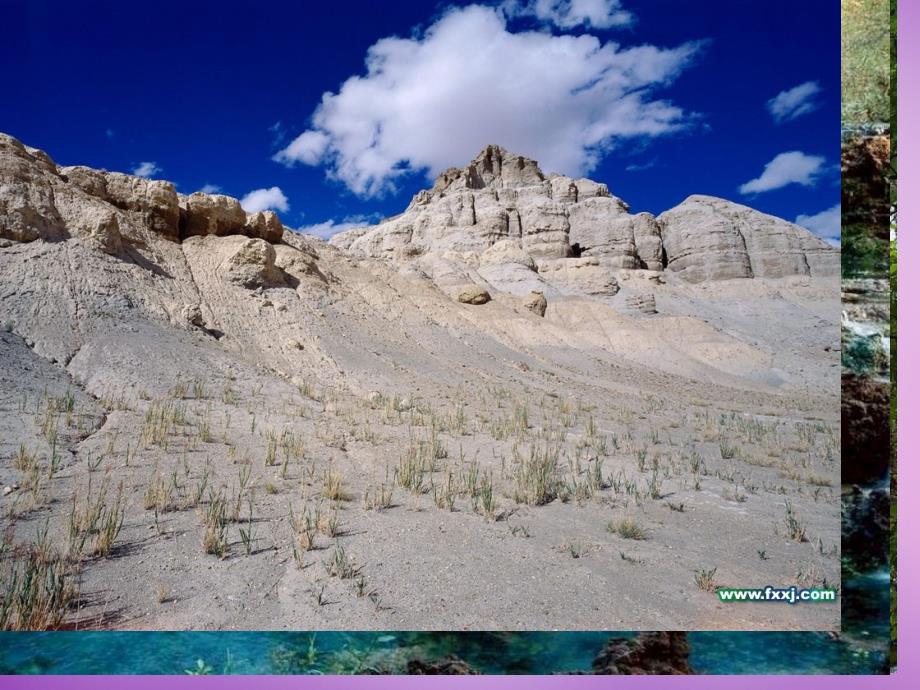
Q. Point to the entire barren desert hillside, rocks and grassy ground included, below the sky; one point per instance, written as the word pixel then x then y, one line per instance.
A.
pixel 197 432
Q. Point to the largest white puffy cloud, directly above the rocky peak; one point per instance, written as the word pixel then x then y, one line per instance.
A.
pixel 435 100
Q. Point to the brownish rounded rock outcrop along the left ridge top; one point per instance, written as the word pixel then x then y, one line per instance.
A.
pixel 39 200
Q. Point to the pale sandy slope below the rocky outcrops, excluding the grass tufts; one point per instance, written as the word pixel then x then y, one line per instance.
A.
pixel 674 377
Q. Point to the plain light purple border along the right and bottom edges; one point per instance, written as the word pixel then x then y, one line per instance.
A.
pixel 908 513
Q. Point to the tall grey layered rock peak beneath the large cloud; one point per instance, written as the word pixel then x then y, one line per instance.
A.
pixel 502 223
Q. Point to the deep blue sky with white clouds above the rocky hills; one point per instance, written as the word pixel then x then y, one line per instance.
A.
pixel 660 99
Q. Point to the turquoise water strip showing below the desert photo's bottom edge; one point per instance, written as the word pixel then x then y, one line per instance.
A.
pixel 861 649
